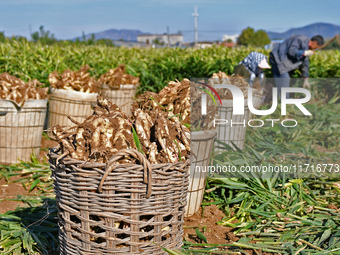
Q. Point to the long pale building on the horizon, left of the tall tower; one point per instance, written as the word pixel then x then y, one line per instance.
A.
pixel 166 39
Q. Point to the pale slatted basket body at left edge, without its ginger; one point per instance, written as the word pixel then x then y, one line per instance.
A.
pixel 21 129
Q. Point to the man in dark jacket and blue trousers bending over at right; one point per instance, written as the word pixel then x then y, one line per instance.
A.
pixel 291 54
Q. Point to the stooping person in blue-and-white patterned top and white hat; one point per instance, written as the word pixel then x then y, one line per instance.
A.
pixel 251 67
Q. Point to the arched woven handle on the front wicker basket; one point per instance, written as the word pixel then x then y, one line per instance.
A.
pixel 147 172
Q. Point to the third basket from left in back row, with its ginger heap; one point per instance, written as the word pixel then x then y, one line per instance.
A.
pixel 119 87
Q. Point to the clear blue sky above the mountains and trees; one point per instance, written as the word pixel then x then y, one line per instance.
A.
pixel 67 19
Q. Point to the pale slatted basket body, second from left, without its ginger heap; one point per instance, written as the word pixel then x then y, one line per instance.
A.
pixel 63 103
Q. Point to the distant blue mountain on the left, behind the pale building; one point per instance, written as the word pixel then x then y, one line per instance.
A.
pixel 116 34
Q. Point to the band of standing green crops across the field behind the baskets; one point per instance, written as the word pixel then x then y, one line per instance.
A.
pixel 155 67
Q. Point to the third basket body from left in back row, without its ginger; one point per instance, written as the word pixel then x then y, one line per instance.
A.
pixel 122 96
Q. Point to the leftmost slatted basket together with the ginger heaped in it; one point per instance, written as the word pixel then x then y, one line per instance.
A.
pixel 22 115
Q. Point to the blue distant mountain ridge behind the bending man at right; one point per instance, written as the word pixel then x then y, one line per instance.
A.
pixel 323 29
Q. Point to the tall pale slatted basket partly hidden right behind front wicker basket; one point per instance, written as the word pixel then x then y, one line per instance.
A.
pixel 201 145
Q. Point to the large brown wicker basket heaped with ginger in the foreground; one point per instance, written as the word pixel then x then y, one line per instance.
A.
pixel 120 183
